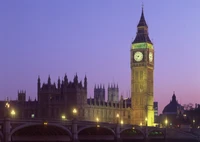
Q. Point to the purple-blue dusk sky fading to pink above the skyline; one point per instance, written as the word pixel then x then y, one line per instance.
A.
pixel 93 37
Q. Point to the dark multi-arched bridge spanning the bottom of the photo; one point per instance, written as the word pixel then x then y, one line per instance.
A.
pixel 13 130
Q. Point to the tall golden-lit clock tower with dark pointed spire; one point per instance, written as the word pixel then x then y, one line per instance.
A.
pixel 142 72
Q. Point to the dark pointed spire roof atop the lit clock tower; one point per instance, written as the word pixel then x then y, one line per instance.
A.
pixel 142 31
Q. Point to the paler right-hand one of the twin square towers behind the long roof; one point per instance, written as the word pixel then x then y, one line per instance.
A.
pixel 113 93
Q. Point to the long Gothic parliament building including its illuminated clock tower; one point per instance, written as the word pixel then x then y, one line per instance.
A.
pixel 57 99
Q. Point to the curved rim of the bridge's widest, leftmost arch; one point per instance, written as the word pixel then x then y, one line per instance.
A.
pixel 39 124
